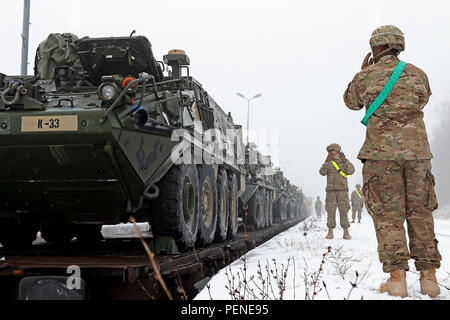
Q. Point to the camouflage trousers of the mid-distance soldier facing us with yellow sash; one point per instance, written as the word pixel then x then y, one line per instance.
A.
pixel 337 199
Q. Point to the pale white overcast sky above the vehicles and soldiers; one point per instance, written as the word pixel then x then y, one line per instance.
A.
pixel 300 56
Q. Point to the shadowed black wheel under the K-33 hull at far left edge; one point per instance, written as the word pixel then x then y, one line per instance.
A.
pixel 17 235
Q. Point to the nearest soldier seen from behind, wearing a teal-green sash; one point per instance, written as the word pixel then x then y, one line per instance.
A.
pixel 398 183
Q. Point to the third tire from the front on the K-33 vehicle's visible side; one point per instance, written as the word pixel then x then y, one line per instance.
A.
pixel 223 211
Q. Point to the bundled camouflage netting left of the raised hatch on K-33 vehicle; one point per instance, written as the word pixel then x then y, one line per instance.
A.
pixel 57 50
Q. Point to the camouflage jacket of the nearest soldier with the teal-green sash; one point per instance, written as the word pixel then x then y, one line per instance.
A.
pixel 396 131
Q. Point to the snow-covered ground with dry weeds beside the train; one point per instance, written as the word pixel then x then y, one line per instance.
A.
pixel 304 245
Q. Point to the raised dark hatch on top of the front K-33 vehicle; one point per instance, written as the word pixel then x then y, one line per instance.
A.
pixel 117 55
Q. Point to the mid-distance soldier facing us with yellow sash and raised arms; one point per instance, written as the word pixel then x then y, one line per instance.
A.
pixel 337 168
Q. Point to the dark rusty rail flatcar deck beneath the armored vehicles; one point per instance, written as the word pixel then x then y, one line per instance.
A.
pixel 120 269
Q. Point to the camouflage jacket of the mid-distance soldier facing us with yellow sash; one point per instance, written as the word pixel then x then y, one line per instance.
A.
pixel 335 181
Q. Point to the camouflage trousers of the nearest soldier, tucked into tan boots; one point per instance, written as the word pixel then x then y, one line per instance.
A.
pixel 396 191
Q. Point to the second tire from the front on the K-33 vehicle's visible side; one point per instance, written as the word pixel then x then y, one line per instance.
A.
pixel 207 222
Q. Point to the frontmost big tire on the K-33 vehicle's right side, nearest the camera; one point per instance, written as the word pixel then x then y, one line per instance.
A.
pixel 175 212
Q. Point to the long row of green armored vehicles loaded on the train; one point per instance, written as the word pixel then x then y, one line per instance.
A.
pixel 100 134
